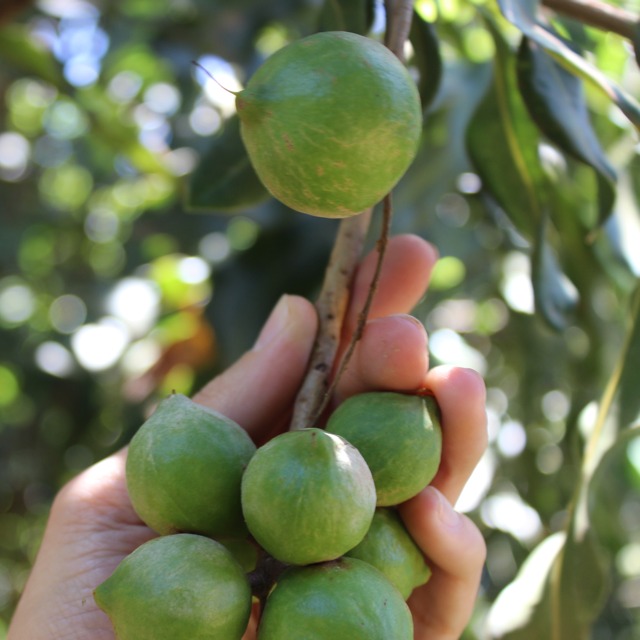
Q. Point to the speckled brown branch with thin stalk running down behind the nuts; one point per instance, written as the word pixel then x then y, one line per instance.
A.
pixel 334 296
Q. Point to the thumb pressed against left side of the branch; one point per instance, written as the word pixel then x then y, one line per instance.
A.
pixel 260 387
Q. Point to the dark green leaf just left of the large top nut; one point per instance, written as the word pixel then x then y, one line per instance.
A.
pixel 225 180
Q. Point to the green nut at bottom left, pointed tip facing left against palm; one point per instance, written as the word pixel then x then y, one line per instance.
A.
pixel 177 587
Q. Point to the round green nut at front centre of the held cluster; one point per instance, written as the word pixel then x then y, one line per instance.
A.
pixel 308 496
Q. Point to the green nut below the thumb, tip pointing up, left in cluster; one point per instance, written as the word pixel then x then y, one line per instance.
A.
pixel 184 470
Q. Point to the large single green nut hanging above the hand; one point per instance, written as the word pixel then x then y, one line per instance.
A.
pixel 331 122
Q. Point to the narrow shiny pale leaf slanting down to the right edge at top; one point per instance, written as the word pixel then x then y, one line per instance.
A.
pixel 523 15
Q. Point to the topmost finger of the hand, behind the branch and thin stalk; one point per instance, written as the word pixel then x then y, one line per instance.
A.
pixel 408 263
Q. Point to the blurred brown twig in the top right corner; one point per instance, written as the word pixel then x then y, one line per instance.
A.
pixel 598 14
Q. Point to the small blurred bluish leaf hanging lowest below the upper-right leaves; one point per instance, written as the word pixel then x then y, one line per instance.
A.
pixel 556 297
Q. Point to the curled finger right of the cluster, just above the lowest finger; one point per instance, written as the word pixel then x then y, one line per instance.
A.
pixel 460 394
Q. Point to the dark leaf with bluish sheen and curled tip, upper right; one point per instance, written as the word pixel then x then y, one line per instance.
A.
pixel 556 101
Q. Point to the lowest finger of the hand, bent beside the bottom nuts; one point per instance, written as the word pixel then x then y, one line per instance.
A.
pixel 456 553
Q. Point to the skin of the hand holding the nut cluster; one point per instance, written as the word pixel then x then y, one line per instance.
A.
pixel 92 525
